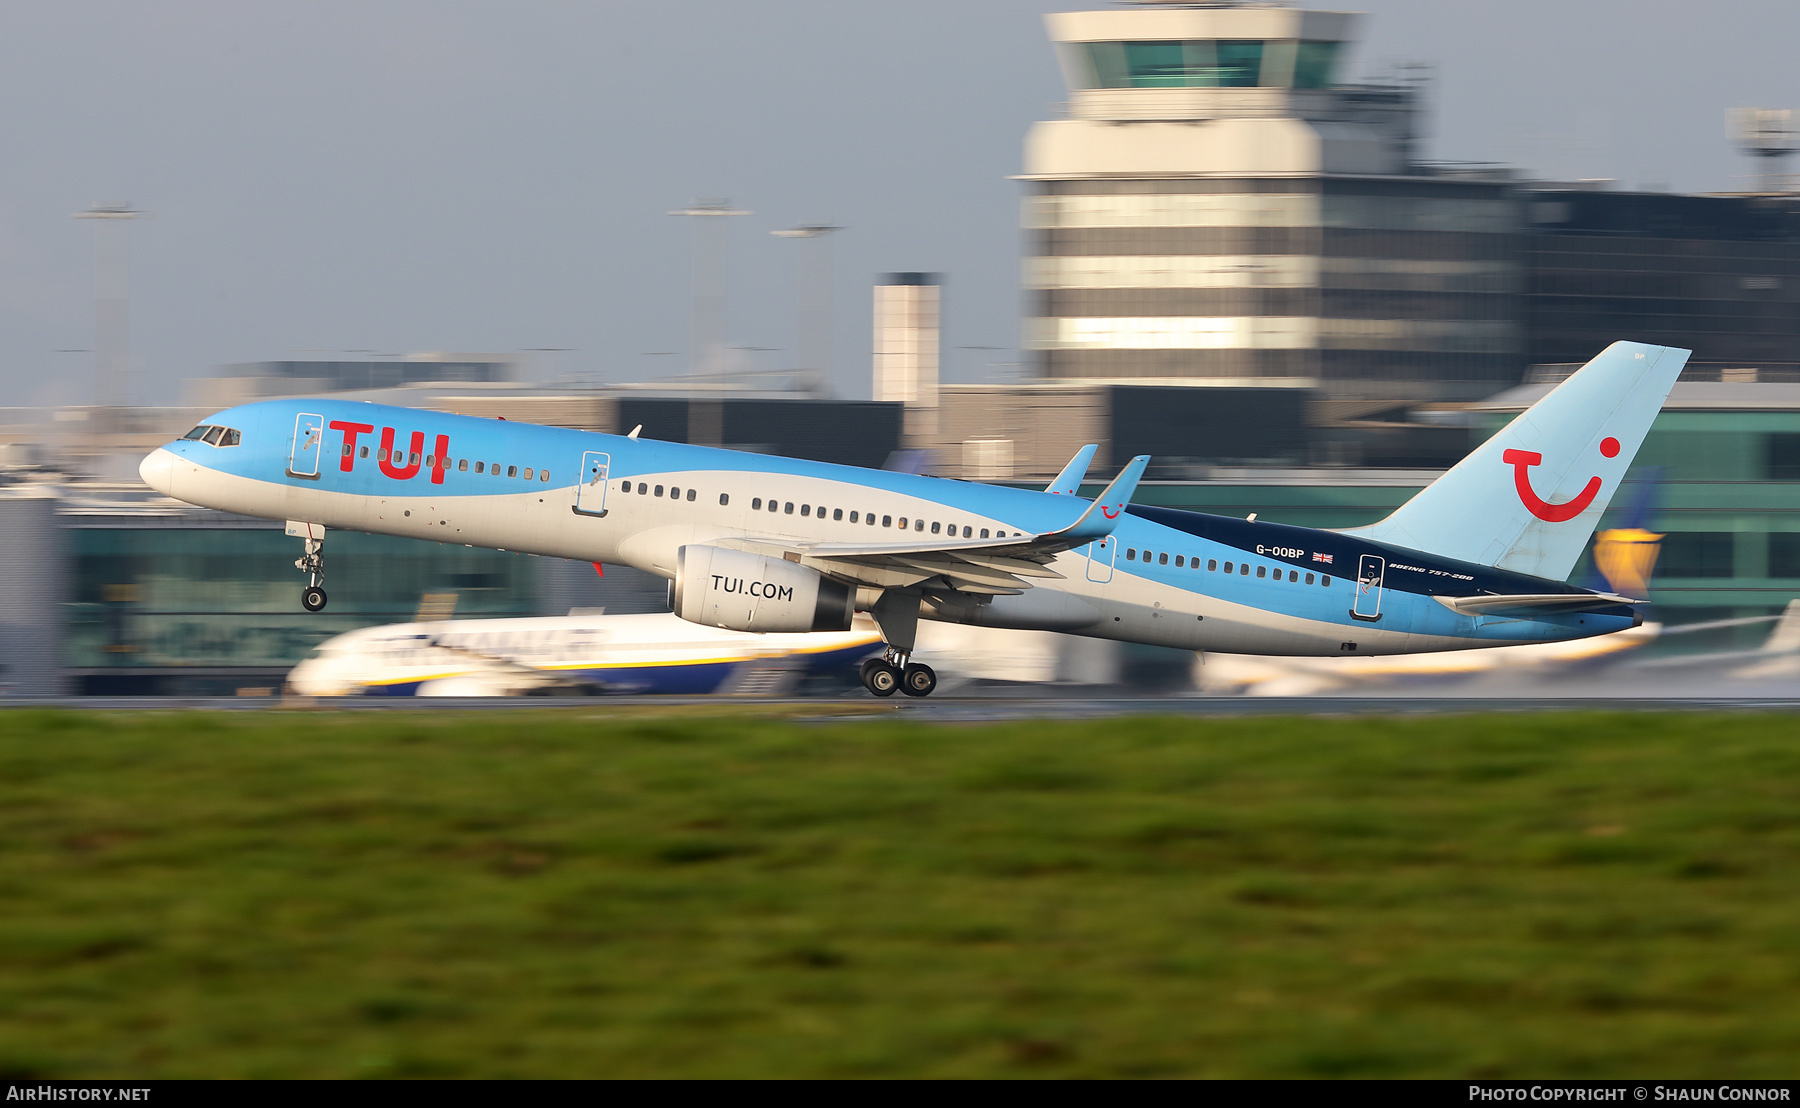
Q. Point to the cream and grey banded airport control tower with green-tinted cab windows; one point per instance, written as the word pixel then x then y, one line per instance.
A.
pixel 1221 206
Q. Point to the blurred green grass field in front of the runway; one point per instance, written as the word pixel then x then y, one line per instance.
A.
pixel 719 895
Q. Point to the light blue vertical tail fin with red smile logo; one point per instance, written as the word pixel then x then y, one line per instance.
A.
pixel 1529 497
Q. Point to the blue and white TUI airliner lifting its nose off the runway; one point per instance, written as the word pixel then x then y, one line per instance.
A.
pixel 768 544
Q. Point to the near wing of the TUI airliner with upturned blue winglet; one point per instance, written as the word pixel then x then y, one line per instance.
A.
pixel 982 566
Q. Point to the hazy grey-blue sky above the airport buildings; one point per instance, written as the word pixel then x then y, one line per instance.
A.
pixel 435 175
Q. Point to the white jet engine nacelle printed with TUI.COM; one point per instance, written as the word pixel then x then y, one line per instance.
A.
pixel 753 593
